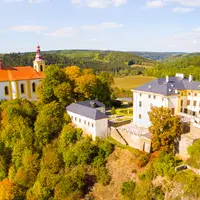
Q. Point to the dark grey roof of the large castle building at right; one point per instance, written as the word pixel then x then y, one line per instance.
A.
pixel 160 86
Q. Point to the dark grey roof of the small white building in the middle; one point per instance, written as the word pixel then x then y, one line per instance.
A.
pixel 86 111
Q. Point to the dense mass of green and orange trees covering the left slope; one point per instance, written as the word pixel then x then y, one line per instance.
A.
pixel 42 156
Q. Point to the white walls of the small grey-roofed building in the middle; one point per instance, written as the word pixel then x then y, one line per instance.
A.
pixel 99 129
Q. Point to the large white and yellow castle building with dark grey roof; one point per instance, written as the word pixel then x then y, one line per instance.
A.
pixel 179 94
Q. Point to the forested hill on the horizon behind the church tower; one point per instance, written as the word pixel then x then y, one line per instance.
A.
pixel 99 60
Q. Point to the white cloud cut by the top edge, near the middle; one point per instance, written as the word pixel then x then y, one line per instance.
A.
pixel 99 3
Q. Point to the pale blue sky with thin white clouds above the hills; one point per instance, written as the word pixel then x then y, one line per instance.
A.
pixel 125 25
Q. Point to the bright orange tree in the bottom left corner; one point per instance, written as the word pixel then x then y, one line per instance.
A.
pixel 10 191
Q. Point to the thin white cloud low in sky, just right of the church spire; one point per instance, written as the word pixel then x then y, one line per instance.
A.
pixel 63 32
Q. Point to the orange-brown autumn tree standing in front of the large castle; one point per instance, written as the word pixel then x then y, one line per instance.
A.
pixel 165 128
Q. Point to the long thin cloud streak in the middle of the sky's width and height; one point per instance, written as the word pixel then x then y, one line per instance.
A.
pixel 102 26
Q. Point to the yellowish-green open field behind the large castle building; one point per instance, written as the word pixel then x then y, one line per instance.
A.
pixel 130 82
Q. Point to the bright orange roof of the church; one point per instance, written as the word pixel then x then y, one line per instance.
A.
pixel 19 73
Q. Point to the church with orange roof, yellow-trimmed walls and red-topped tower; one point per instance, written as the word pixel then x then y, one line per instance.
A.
pixel 22 81
